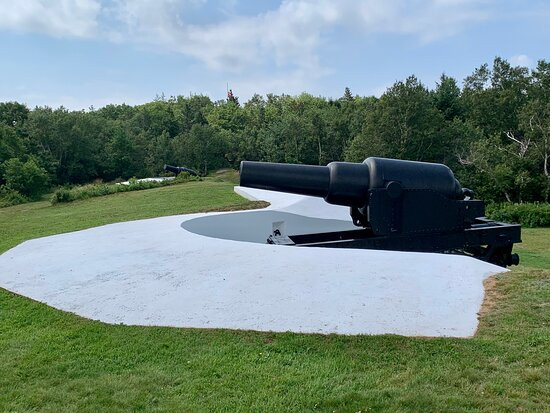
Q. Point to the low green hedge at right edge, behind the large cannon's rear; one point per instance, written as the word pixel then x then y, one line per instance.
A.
pixel 530 215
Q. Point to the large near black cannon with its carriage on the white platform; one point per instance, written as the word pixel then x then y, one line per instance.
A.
pixel 399 205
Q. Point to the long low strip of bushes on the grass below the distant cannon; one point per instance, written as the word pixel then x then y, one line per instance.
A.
pixel 67 194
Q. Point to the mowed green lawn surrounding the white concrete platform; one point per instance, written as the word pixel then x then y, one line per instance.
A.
pixel 54 361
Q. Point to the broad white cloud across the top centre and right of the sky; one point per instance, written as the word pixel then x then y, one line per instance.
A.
pixel 289 35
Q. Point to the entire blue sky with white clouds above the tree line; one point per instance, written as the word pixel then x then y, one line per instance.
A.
pixel 79 53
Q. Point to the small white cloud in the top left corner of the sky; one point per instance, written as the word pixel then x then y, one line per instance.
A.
pixel 59 18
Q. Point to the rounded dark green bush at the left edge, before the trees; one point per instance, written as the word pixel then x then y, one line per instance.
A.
pixel 28 178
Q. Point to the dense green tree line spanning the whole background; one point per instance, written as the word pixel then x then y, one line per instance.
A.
pixel 494 132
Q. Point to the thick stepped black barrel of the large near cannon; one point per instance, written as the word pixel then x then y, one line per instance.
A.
pixel 346 183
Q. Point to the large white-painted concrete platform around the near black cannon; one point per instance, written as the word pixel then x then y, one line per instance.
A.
pixel 215 271
